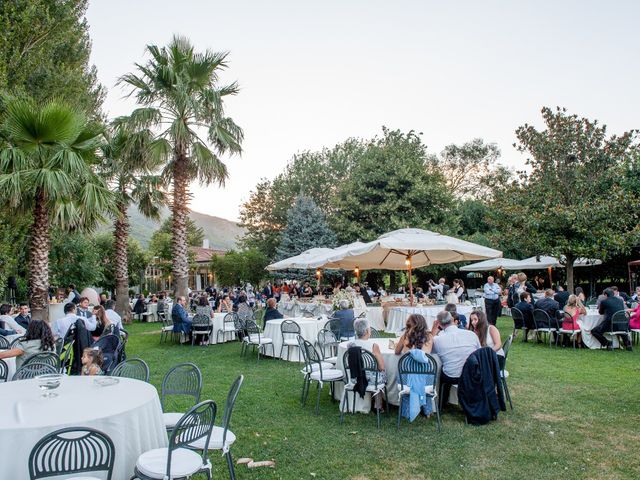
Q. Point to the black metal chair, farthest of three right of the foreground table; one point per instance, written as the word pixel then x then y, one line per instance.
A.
pixel 183 380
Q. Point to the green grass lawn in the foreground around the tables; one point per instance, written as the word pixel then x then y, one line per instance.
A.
pixel 577 415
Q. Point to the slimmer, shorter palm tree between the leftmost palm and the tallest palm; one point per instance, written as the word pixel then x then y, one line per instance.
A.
pixel 129 161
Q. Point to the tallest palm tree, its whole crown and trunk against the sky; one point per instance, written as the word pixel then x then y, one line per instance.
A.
pixel 181 99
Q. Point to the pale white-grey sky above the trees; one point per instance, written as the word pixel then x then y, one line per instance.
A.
pixel 314 73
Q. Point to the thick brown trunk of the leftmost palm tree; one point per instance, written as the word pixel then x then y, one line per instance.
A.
pixel 39 260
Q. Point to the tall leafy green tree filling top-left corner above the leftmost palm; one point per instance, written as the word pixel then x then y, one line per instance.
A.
pixel 44 52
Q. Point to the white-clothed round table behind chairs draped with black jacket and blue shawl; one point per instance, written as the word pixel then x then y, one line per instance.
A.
pixel 391 368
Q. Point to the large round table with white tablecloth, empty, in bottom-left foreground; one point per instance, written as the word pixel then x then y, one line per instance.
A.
pixel 128 412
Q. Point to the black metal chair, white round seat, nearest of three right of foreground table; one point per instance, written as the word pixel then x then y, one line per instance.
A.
pixel 194 426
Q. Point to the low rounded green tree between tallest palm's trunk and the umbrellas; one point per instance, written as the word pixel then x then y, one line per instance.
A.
pixel 239 268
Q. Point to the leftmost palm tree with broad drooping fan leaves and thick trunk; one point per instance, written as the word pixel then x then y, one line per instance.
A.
pixel 47 170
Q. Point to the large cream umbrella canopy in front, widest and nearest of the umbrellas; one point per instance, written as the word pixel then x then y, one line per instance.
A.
pixel 390 251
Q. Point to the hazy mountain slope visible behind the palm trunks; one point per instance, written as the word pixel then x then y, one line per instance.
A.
pixel 222 233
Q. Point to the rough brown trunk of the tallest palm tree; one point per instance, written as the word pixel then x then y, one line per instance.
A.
pixel 180 210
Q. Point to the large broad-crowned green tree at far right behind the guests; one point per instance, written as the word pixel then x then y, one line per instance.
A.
pixel 573 203
